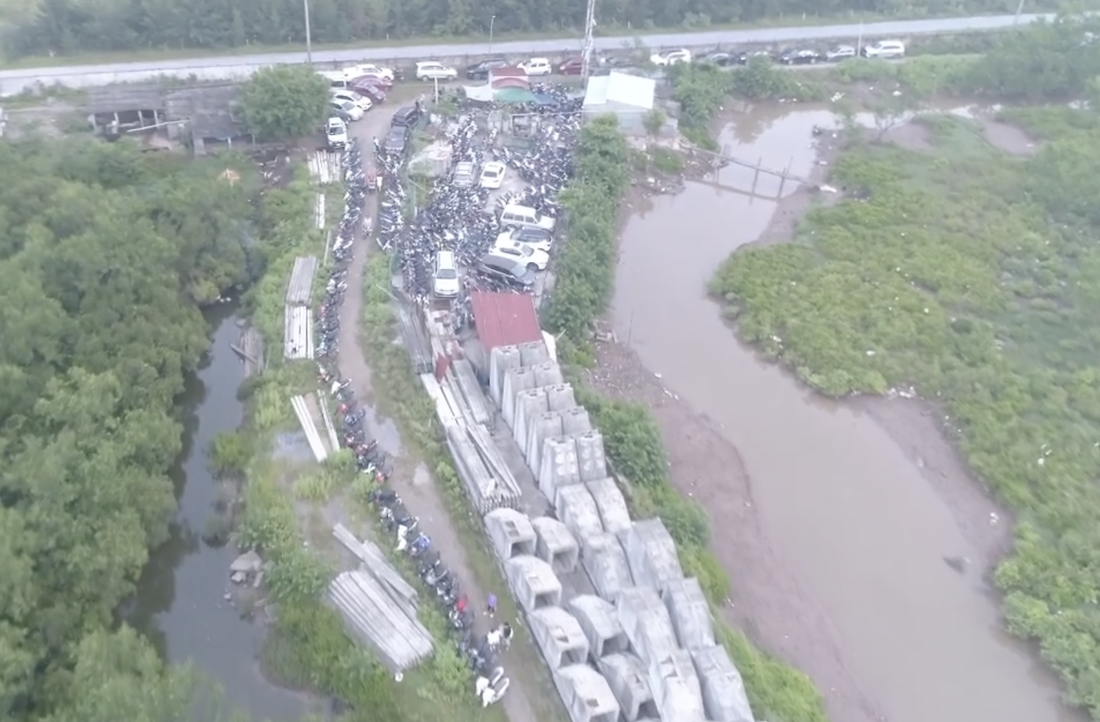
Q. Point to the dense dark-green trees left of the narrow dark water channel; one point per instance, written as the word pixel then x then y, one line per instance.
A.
pixel 106 256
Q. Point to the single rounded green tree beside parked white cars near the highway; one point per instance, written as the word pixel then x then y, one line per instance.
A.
pixel 284 102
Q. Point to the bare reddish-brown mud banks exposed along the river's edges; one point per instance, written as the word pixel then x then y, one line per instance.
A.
pixel 767 599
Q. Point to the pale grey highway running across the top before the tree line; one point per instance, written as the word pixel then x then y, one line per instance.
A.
pixel 238 67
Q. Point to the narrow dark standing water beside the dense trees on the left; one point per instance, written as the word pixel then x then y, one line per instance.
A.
pixel 181 597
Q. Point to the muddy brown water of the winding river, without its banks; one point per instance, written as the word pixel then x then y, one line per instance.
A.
pixel 843 505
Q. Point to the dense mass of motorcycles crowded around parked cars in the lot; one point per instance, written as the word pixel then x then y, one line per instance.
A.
pixel 459 217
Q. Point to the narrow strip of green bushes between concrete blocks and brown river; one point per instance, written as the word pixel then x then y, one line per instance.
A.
pixel 582 291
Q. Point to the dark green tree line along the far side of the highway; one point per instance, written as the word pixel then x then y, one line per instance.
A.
pixel 74 27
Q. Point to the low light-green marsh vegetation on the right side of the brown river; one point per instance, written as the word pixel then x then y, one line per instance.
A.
pixel 976 278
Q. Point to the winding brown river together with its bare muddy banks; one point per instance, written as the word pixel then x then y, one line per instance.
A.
pixel 844 527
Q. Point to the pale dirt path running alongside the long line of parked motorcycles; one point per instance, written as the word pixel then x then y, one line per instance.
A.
pixel 416 486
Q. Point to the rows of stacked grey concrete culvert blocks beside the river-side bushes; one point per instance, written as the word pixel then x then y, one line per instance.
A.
pixel 643 647
